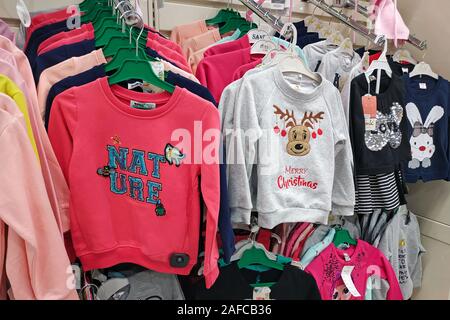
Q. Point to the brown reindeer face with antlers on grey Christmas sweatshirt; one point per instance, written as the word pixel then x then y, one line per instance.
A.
pixel 299 135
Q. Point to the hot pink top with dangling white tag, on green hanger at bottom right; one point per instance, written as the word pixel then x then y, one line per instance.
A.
pixel 366 259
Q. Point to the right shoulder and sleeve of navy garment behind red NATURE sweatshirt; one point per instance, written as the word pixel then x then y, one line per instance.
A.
pixel 225 227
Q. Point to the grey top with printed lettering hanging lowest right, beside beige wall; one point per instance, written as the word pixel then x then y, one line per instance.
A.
pixel 402 246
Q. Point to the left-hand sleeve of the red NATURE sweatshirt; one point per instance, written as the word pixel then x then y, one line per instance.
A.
pixel 60 130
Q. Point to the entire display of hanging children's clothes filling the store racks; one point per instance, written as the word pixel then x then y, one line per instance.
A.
pixel 90 116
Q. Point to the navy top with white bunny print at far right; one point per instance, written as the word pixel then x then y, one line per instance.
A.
pixel 427 109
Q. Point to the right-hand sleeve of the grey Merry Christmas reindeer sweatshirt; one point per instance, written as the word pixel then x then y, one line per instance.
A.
pixel 343 198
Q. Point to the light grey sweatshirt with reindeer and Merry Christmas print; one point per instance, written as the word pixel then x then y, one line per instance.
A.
pixel 289 135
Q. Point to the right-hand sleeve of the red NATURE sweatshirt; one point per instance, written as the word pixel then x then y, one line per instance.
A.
pixel 210 188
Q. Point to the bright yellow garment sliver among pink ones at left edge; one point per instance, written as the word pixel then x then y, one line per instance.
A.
pixel 8 87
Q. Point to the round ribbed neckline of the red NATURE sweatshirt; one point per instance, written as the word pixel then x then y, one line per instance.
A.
pixel 166 100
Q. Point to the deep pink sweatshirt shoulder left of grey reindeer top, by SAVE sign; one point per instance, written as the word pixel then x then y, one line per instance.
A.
pixel 216 72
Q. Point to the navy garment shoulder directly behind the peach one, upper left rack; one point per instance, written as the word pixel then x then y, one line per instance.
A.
pixel 57 55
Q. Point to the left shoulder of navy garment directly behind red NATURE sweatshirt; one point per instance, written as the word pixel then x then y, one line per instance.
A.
pixel 69 82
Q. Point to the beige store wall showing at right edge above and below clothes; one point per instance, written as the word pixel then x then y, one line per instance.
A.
pixel 431 201
